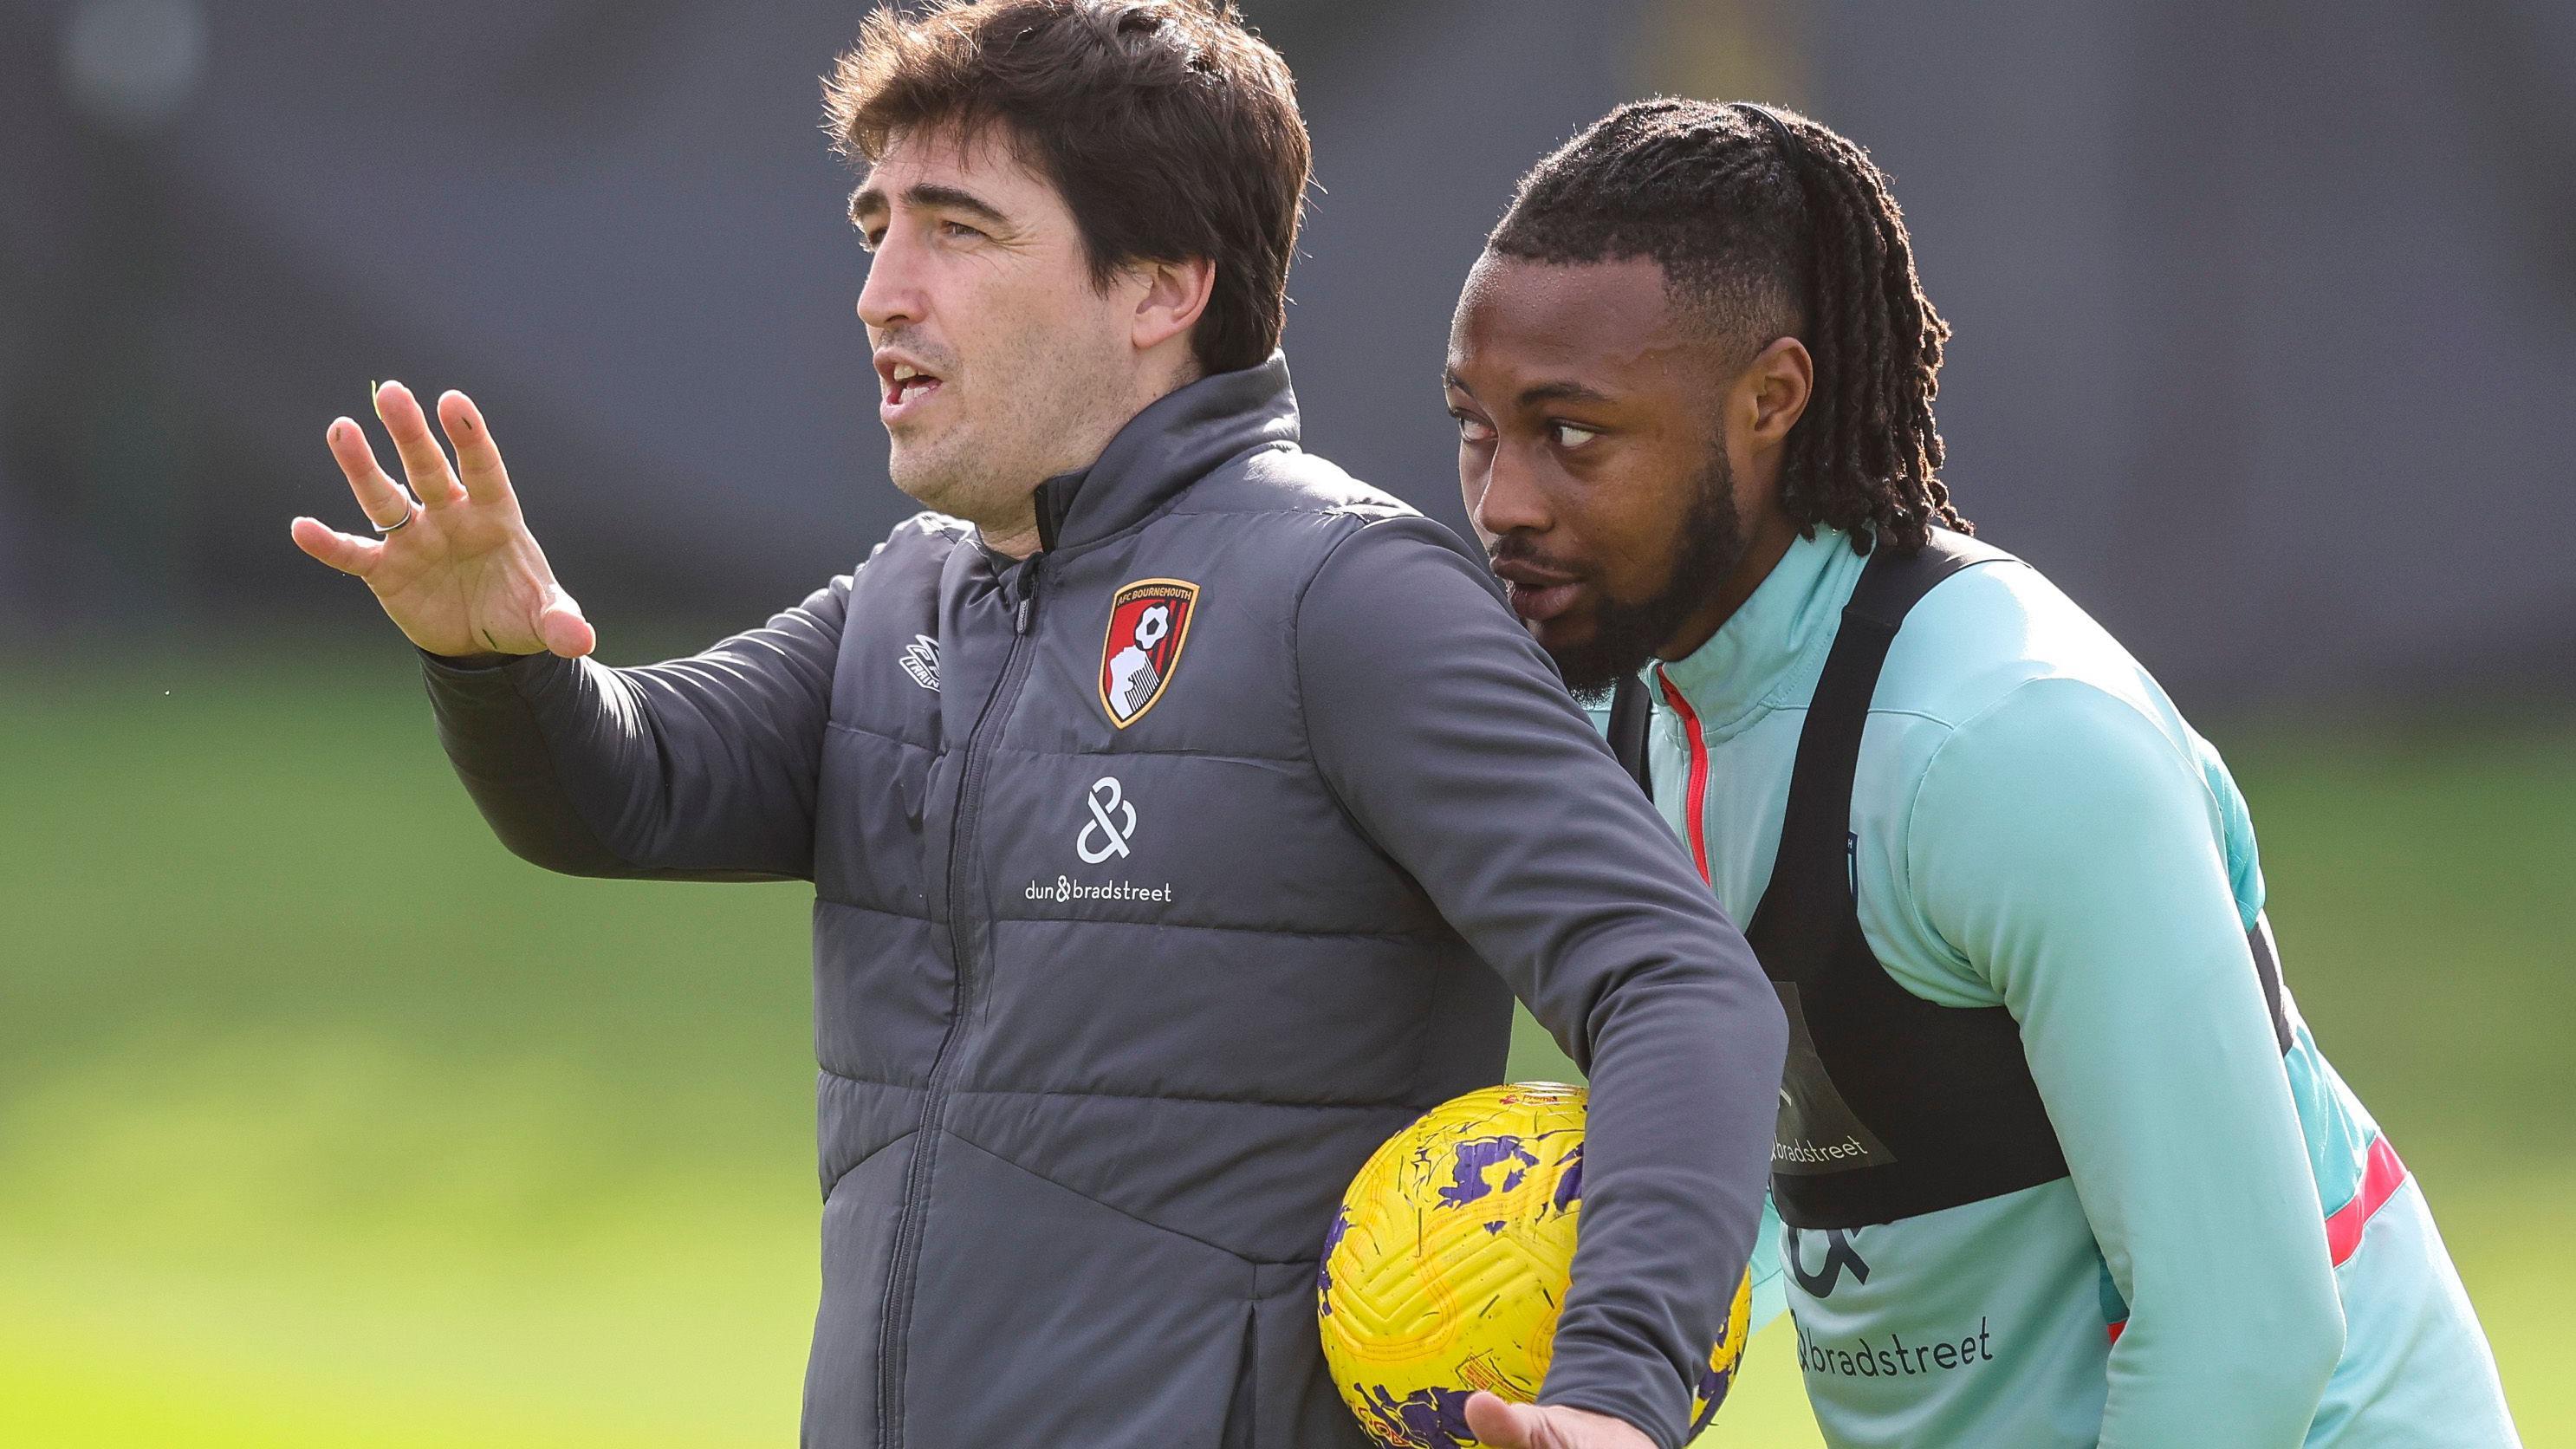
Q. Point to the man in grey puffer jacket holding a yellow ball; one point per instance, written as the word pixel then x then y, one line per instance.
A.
pixel 1168 795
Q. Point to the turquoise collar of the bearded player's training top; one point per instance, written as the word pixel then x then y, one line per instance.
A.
pixel 1774 648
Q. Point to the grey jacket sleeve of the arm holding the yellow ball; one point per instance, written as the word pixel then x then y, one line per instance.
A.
pixel 1452 741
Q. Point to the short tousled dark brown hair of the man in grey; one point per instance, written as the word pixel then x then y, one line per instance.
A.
pixel 1166 125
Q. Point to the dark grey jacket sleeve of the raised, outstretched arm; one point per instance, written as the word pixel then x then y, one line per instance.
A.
pixel 689 770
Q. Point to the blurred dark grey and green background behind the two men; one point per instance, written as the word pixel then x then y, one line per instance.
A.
pixel 328 1123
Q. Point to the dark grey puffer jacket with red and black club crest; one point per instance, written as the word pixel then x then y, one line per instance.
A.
pixel 1109 1015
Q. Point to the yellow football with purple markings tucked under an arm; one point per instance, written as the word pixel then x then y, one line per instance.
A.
pixel 1449 1262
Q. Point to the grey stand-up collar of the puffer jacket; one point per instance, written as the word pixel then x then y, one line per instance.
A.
pixel 1166 450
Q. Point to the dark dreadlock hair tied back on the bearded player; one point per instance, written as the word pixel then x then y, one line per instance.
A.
pixel 1771 226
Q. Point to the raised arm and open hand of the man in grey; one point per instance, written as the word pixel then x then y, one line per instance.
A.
pixel 702 767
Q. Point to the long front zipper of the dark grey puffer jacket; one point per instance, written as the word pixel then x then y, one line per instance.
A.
pixel 895 1324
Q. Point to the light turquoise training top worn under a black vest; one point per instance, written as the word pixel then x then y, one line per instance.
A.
pixel 2237 1257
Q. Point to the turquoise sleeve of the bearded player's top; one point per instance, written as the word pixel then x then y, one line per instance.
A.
pixel 2072 855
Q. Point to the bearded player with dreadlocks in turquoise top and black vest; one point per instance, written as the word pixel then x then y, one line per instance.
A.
pixel 2057 1159
